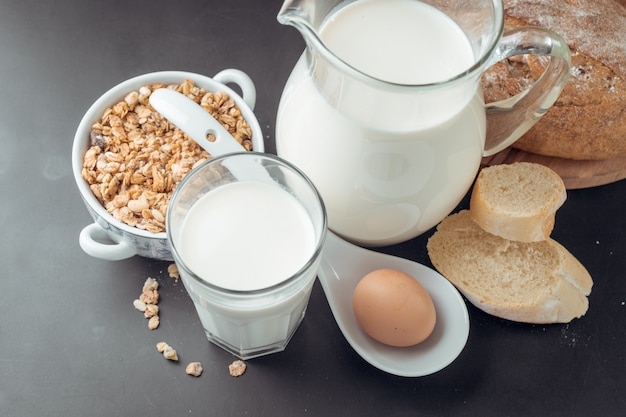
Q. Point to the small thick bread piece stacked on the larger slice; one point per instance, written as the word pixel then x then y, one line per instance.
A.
pixel 517 201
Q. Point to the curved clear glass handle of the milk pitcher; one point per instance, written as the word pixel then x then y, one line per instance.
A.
pixel 509 119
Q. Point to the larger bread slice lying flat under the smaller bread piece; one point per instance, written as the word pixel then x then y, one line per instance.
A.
pixel 539 282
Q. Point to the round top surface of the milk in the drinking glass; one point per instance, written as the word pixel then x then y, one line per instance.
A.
pixel 245 236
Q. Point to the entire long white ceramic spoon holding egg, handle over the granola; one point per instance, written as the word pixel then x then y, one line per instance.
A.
pixel 344 264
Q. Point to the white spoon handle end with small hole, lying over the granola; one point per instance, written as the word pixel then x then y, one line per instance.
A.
pixel 192 119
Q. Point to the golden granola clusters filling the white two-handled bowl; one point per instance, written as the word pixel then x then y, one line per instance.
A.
pixel 137 157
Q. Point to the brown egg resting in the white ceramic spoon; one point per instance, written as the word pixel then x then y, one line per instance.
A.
pixel 393 308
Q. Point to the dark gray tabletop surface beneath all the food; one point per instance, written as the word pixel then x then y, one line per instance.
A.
pixel 71 343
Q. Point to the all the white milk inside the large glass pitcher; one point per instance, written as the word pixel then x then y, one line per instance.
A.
pixel 389 165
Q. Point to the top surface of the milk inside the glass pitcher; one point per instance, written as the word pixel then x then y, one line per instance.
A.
pixel 399 41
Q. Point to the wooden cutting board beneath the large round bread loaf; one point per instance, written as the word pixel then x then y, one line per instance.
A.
pixel 575 174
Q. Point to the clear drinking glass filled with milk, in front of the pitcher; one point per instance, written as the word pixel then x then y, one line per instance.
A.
pixel 246 231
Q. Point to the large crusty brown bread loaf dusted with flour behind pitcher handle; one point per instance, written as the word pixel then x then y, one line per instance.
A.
pixel 588 121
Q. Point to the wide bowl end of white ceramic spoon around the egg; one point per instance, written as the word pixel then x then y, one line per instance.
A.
pixel 344 264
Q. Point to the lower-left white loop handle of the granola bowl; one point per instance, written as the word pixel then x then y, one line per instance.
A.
pixel 91 240
